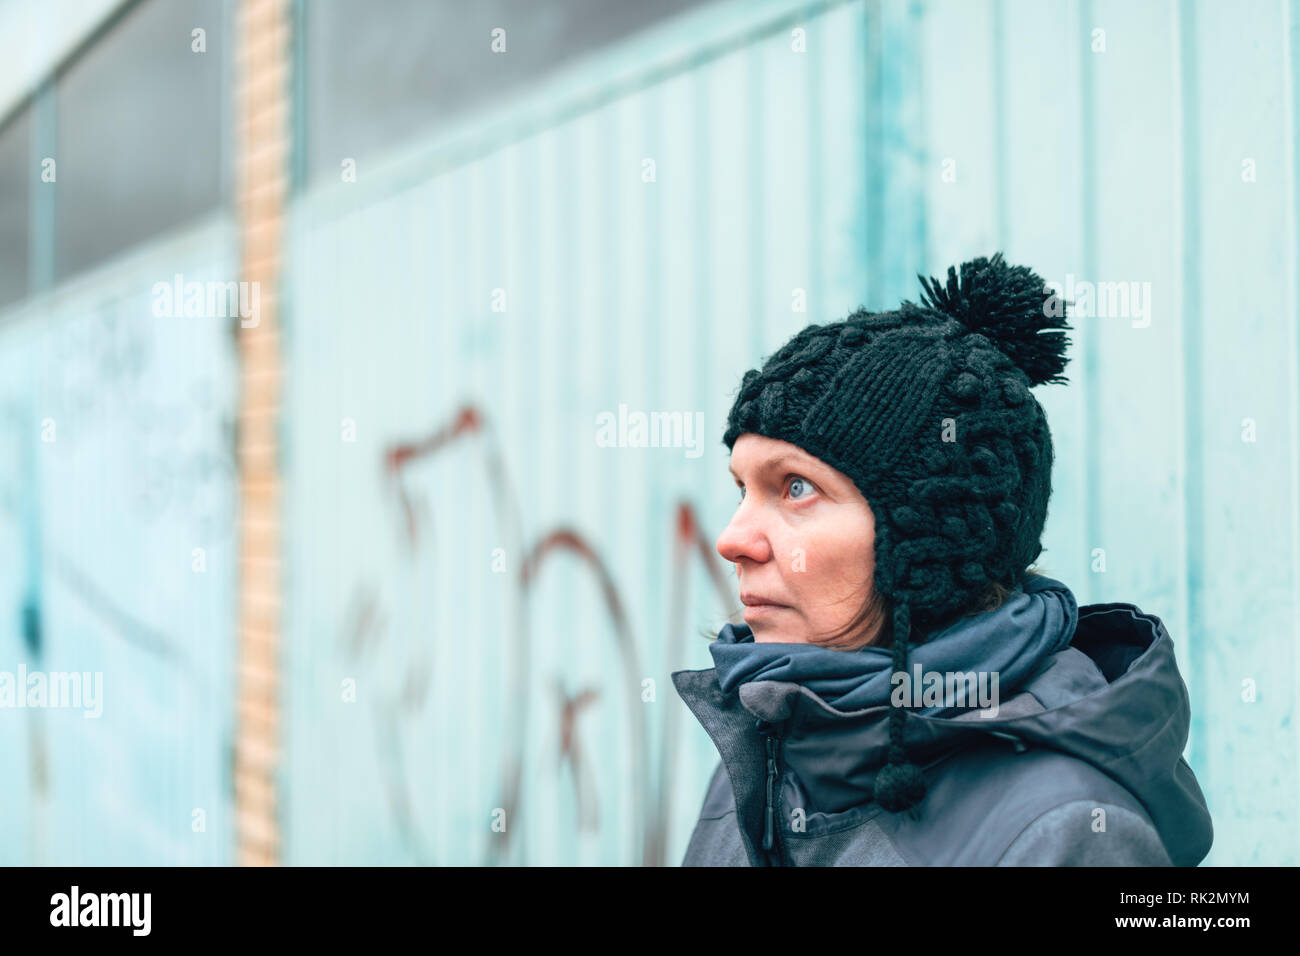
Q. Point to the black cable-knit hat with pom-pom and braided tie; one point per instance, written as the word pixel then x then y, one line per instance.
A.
pixel 929 412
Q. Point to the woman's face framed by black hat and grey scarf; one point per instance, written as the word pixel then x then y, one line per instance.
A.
pixel 803 542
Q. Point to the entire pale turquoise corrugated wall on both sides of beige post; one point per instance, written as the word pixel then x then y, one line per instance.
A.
pixel 491 583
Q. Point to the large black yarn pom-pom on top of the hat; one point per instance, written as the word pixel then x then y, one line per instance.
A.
pixel 1012 308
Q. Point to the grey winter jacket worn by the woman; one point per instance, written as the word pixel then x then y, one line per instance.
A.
pixel 1082 767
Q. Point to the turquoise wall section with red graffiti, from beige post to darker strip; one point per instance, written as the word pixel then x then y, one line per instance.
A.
pixel 647 252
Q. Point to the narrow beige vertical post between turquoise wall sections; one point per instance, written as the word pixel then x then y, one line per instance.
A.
pixel 262 120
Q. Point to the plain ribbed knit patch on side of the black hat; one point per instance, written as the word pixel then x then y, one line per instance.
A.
pixel 879 400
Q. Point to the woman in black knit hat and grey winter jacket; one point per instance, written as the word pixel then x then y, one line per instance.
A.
pixel 905 689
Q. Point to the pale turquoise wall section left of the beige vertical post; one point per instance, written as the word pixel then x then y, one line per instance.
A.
pixel 116 431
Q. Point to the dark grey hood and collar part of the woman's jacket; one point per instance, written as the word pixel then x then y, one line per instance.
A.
pixel 1113 698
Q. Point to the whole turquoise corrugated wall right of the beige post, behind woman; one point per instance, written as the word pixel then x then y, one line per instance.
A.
pixel 1108 157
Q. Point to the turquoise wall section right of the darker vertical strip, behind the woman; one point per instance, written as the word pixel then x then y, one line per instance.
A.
pixel 1117 144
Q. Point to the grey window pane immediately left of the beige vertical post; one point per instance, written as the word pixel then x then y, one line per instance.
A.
pixel 142 133
